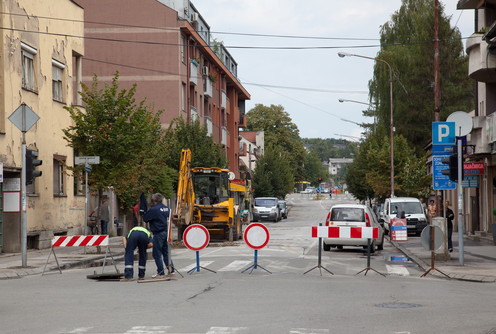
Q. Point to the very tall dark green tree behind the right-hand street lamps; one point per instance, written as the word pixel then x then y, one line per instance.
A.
pixel 407 45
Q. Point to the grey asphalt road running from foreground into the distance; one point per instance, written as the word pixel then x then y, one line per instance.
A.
pixel 227 301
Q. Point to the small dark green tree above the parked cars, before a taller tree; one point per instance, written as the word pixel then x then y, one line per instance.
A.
pixel 272 175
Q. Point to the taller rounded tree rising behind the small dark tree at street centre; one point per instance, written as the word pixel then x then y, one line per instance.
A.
pixel 280 133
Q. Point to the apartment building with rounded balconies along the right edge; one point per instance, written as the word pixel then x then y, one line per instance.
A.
pixel 479 191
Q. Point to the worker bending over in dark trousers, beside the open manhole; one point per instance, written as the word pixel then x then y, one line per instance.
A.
pixel 139 237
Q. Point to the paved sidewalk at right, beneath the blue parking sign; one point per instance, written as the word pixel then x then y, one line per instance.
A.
pixel 479 259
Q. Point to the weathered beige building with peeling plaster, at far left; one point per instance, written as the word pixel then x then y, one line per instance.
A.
pixel 41 50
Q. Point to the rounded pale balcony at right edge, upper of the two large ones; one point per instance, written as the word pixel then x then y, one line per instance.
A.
pixel 482 60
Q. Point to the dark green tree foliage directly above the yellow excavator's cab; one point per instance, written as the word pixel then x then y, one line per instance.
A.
pixel 204 152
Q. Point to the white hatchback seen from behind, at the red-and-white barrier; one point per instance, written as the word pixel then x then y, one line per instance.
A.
pixel 353 215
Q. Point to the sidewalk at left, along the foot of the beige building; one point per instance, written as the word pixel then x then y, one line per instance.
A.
pixel 68 257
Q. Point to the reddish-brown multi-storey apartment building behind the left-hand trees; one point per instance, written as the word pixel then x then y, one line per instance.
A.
pixel 165 47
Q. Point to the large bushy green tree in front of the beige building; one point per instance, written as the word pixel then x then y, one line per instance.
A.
pixel 126 136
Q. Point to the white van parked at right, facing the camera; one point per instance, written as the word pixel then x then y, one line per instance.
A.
pixel 416 218
